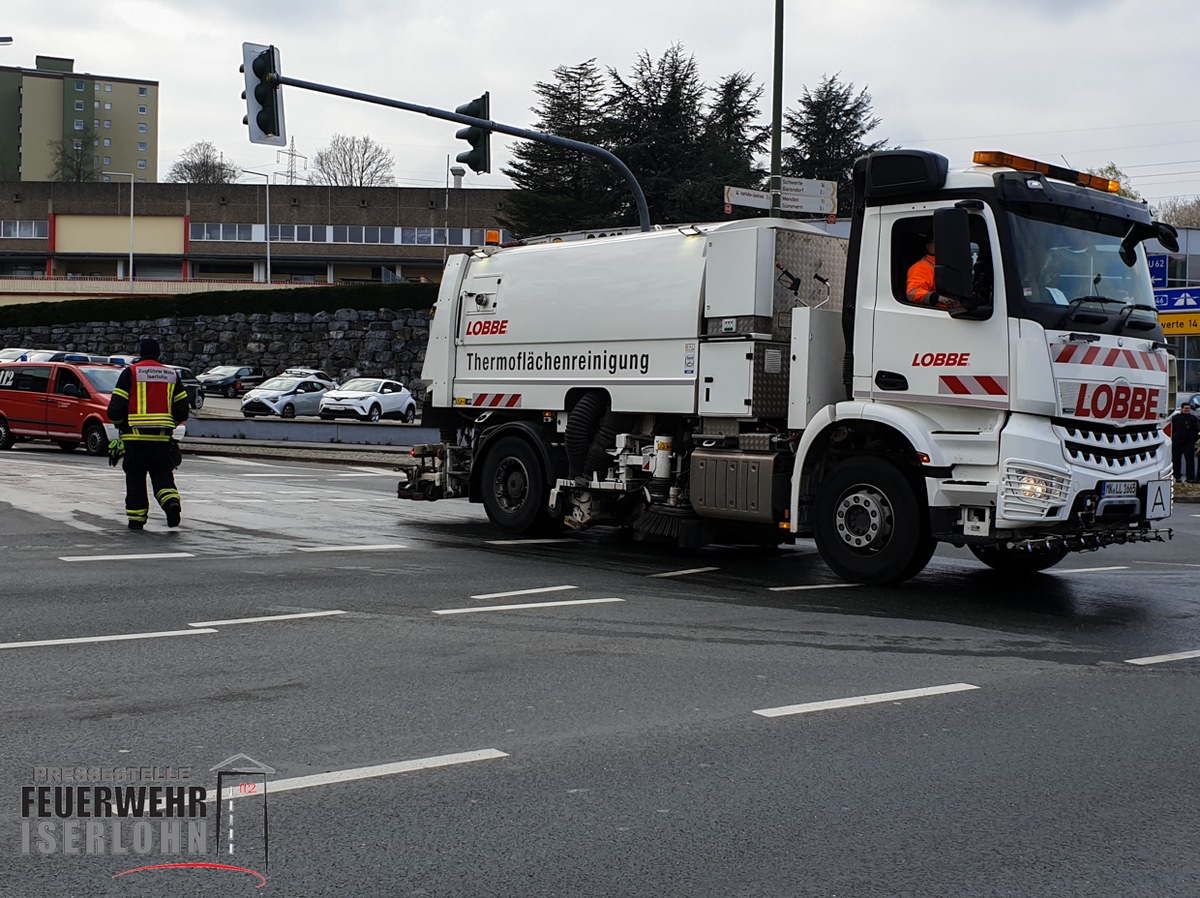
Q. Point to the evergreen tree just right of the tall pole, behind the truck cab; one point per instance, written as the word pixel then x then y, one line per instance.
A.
pixel 830 130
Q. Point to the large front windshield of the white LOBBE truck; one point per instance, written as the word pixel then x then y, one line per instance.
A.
pixel 1071 276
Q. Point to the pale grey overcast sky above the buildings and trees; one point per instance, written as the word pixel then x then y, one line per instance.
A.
pixel 1079 81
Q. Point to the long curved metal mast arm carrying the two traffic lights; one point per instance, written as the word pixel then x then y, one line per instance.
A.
pixel 485 127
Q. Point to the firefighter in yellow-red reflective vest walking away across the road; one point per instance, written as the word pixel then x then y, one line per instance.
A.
pixel 148 404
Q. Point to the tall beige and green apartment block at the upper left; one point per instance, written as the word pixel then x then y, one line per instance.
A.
pixel 100 123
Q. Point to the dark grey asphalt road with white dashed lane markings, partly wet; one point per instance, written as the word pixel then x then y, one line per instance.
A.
pixel 619 747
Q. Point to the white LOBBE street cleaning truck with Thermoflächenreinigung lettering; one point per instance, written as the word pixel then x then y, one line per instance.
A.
pixel 763 381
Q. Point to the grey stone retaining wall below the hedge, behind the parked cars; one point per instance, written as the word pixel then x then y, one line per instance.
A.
pixel 346 344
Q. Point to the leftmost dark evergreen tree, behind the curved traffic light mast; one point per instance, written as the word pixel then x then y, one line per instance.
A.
pixel 559 189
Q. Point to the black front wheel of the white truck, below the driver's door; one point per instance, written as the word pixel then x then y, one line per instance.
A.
pixel 869 524
